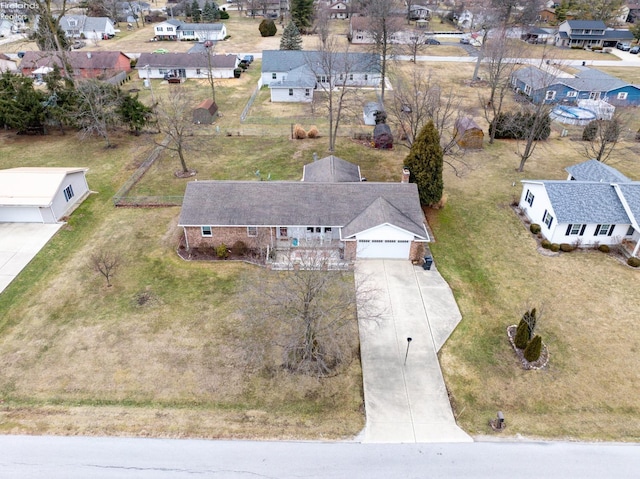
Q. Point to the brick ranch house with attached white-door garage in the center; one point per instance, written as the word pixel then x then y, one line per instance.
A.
pixel 330 209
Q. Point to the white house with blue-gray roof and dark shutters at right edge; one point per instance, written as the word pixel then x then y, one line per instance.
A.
pixel 596 205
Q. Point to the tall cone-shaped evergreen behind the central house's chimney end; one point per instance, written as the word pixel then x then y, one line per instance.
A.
pixel 425 161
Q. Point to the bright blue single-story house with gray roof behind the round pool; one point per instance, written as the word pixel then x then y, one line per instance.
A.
pixel 588 84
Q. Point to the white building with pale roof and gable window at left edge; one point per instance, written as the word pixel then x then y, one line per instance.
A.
pixel 40 195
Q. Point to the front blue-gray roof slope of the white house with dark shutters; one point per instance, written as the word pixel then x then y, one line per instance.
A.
pixel 586 202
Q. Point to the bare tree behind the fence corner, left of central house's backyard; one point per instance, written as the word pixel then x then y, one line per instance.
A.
pixel 174 113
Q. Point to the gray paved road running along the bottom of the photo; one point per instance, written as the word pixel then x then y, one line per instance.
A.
pixel 33 457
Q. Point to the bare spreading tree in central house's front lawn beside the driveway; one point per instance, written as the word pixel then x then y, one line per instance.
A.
pixel 303 320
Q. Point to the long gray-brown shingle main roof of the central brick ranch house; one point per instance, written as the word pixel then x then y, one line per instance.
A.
pixel 271 203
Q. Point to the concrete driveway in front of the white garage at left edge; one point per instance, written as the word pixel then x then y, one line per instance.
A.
pixel 19 243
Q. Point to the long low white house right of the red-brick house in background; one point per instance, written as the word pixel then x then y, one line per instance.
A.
pixel 186 65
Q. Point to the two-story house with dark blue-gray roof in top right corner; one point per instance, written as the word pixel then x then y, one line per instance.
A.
pixel 589 33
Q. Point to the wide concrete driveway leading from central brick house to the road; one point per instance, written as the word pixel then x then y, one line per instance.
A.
pixel 405 401
